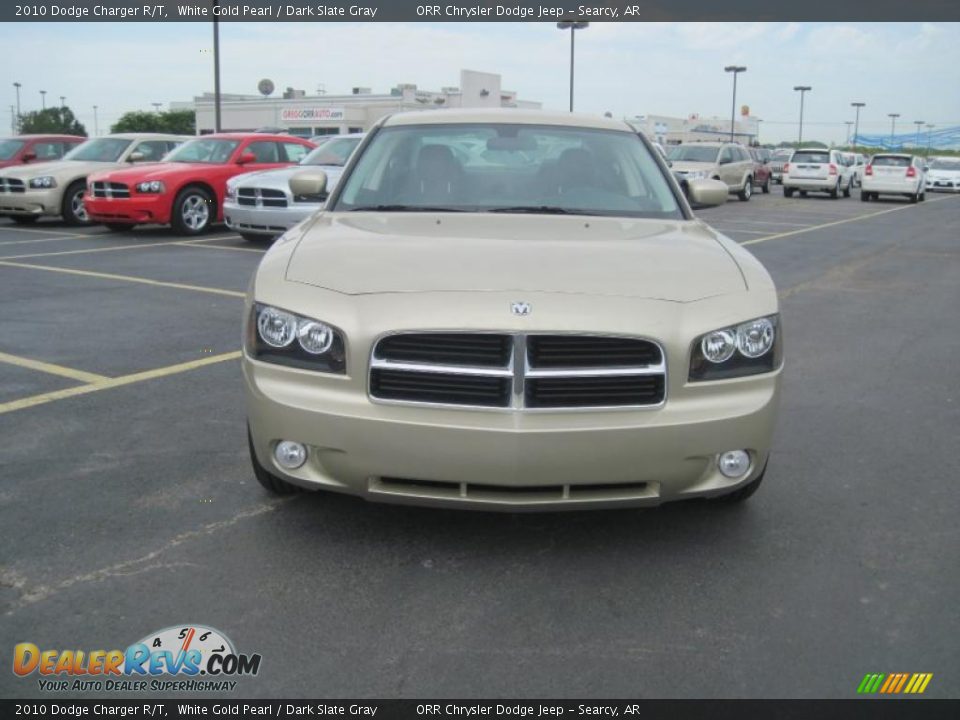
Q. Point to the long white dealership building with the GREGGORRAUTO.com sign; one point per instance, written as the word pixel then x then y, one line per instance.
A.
pixel 305 115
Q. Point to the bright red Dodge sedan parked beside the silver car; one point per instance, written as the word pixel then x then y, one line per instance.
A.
pixel 186 189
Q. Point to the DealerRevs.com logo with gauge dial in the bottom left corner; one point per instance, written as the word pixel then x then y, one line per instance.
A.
pixel 188 658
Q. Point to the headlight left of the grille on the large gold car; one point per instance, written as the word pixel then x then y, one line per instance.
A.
pixel 277 336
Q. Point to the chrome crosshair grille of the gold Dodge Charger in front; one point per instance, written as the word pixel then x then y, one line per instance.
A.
pixel 518 371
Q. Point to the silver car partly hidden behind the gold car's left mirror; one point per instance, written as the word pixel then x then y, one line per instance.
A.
pixel 261 205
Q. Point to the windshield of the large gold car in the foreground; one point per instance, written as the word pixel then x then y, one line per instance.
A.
pixel 499 167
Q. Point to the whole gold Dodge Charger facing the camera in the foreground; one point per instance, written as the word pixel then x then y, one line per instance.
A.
pixel 510 310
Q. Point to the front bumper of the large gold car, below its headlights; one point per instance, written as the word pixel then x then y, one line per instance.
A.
pixel 510 459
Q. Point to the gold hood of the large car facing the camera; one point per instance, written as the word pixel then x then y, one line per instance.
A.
pixel 365 253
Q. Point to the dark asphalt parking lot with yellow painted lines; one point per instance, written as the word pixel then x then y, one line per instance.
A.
pixel 128 503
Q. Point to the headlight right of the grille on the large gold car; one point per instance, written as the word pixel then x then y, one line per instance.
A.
pixel 749 348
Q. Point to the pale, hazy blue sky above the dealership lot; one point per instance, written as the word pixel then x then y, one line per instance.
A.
pixel 627 69
